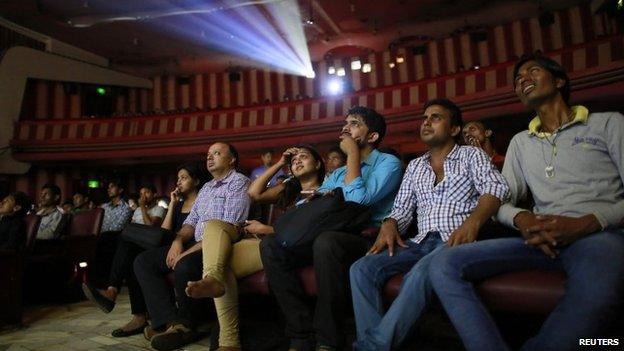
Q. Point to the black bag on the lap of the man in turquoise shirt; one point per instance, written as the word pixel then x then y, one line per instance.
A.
pixel 299 226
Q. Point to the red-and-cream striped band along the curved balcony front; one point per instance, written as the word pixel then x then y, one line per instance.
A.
pixel 484 82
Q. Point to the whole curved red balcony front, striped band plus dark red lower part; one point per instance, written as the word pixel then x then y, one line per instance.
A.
pixel 596 69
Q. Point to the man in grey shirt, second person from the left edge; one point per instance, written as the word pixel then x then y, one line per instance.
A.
pixel 50 212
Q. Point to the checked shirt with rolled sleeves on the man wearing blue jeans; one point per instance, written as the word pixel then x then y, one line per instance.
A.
pixel 468 174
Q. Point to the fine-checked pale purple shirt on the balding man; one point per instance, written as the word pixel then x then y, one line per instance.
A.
pixel 225 200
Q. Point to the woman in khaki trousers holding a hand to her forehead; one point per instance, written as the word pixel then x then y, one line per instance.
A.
pixel 242 258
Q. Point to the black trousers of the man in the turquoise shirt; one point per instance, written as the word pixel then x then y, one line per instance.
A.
pixel 332 253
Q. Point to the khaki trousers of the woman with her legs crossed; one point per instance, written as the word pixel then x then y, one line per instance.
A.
pixel 227 260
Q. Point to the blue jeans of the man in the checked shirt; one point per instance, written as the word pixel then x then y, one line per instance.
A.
pixel 379 331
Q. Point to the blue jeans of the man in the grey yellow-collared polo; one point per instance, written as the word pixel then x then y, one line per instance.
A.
pixel 594 266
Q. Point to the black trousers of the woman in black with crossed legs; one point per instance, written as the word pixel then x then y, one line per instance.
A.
pixel 122 269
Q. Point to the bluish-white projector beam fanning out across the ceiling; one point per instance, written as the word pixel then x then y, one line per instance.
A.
pixel 267 32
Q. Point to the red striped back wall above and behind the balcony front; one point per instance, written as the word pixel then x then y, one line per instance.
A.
pixel 443 57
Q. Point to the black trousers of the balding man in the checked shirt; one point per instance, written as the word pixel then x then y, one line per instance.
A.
pixel 151 270
